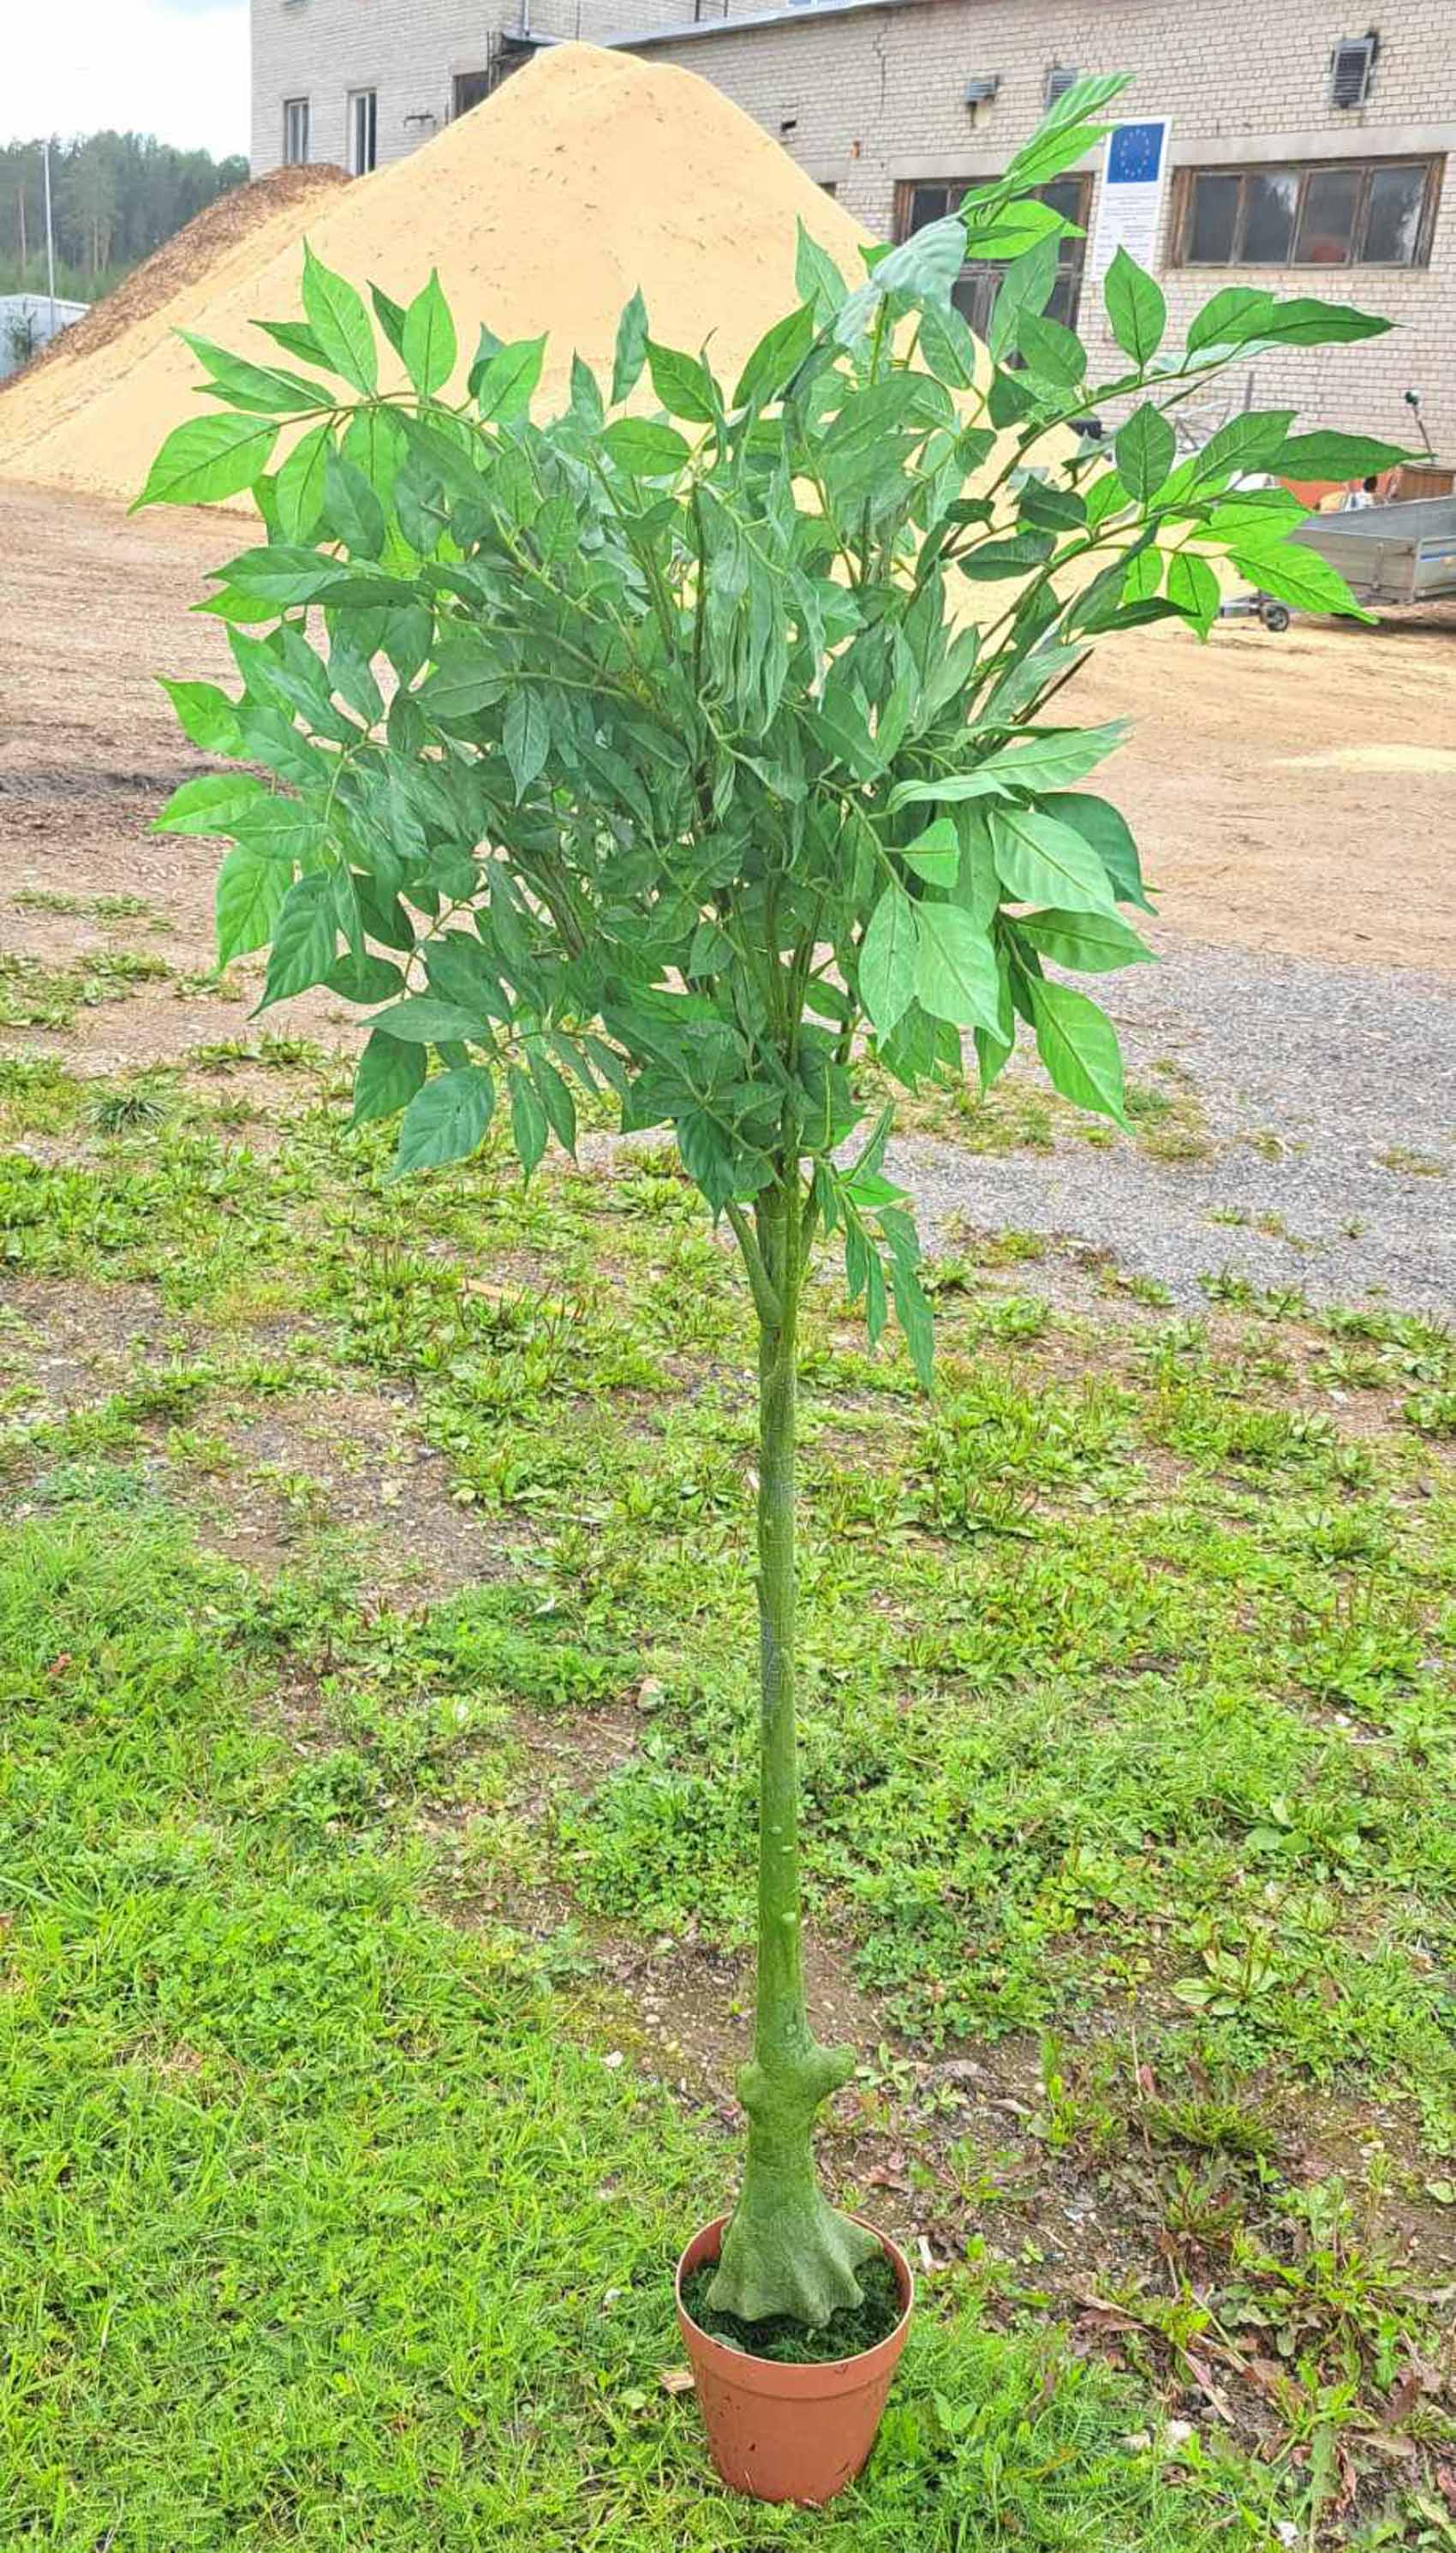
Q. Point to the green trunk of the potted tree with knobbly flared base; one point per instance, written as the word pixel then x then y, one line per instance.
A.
pixel 788 2250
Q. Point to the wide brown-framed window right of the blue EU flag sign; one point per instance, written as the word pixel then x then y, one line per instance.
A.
pixel 1322 213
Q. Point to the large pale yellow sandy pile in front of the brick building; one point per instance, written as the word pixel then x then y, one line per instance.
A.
pixel 586 175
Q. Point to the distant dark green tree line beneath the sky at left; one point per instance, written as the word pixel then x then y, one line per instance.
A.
pixel 114 200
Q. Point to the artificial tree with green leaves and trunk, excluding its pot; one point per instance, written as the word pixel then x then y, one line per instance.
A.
pixel 711 744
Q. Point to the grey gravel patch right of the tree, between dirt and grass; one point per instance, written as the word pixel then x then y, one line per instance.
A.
pixel 1322 1091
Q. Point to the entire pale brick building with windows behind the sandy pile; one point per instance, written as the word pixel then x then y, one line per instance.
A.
pixel 1307 149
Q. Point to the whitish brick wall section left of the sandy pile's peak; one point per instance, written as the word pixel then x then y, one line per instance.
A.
pixel 407 52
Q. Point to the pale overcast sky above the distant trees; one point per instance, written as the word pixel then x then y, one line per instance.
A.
pixel 170 68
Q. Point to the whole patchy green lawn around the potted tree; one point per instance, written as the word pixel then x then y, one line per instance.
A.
pixel 377 1671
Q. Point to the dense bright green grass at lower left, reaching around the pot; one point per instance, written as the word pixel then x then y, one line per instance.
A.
pixel 323 2222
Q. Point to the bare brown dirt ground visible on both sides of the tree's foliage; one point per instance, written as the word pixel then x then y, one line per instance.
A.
pixel 1291 795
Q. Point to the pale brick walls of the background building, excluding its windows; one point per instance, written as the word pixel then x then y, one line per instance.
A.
pixel 877 96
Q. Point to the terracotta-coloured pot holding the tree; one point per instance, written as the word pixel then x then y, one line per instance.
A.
pixel 788 2432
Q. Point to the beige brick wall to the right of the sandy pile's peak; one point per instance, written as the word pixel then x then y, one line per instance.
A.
pixel 880 96
